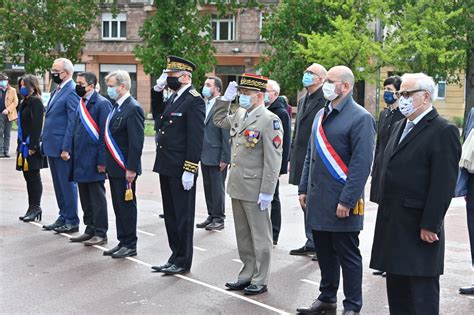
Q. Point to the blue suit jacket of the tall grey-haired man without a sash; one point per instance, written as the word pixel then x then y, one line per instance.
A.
pixel 59 121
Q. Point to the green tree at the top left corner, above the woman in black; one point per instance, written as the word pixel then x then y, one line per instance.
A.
pixel 36 32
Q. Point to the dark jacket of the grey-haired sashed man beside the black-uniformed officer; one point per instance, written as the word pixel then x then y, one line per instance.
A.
pixel 127 129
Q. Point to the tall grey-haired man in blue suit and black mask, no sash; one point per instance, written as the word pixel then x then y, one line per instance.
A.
pixel 57 145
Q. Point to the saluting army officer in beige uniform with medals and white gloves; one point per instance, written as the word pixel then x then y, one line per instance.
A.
pixel 256 137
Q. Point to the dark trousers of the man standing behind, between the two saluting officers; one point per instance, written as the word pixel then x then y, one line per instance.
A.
pixel 214 190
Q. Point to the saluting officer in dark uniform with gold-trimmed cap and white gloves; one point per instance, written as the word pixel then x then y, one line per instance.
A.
pixel 178 151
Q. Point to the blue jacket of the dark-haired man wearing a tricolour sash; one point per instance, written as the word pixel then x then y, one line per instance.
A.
pixel 87 154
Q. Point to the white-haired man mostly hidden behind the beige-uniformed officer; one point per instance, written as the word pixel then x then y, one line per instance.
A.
pixel 278 106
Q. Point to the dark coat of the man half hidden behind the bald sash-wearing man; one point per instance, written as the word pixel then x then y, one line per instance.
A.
pixel 303 124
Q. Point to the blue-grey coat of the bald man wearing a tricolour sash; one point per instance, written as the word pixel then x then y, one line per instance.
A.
pixel 350 129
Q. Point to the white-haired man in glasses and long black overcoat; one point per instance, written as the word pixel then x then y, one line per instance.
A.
pixel 418 178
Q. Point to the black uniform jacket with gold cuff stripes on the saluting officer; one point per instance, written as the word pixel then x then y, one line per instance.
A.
pixel 180 134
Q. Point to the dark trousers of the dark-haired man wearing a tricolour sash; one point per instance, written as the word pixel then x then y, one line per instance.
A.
pixel 94 205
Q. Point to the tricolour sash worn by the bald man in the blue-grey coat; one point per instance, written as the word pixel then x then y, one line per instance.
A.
pixel 329 156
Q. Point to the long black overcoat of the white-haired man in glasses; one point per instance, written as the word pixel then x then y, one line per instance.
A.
pixel 417 182
